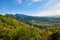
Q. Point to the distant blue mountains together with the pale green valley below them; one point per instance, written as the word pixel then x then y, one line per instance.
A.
pixel 38 21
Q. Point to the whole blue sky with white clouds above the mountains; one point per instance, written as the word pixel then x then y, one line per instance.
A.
pixel 30 7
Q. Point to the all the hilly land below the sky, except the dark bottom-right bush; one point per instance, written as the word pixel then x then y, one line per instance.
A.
pixel 23 27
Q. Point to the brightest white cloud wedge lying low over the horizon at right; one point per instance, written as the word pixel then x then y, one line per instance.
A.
pixel 48 13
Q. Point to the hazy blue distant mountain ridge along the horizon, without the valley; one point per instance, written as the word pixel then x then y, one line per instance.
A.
pixel 38 19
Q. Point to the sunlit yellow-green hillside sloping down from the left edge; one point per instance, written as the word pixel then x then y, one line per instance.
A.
pixel 12 29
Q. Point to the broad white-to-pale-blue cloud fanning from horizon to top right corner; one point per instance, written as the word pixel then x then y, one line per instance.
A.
pixel 53 9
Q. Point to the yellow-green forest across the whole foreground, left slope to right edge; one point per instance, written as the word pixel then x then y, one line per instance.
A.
pixel 13 29
